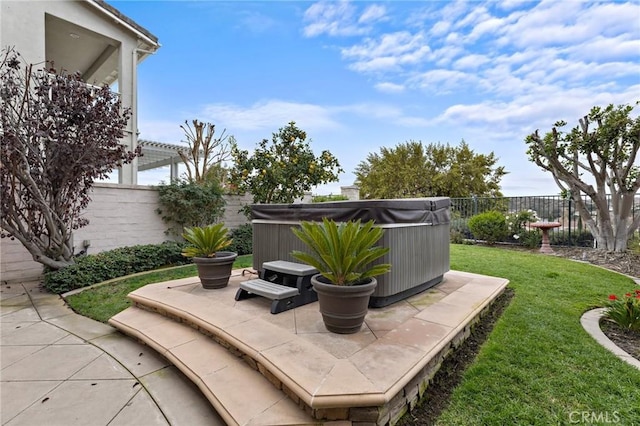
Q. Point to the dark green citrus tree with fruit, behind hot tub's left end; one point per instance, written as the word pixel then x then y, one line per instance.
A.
pixel 281 172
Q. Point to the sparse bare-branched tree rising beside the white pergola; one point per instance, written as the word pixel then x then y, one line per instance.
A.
pixel 206 155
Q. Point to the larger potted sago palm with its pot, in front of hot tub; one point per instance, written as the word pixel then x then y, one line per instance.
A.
pixel 343 255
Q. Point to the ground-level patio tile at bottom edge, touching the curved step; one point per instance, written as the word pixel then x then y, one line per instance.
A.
pixel 181 401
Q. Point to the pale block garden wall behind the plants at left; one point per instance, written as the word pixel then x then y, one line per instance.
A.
pixel 119 216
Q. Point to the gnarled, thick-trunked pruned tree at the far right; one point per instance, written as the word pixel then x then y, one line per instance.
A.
pixel 602 151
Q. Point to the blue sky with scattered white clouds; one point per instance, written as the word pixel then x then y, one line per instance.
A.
pixel 360 75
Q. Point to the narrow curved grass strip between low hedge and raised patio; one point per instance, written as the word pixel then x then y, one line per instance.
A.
pixel 104 301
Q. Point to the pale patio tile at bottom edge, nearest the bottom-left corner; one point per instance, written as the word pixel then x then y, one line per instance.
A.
pixel 80 403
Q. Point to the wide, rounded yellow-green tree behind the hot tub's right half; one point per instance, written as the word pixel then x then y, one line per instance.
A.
pixel 414 170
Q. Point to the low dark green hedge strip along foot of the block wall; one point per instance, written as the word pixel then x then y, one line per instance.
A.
pixel 92 269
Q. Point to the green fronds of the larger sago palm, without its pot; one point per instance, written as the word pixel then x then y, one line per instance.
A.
pixel 342 253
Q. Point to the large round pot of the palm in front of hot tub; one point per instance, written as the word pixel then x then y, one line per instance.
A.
pixel 343 308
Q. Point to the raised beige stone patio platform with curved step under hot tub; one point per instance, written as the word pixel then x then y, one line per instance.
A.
pixel 259 368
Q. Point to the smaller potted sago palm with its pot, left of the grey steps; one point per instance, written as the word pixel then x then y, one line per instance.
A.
pixel 214 266
